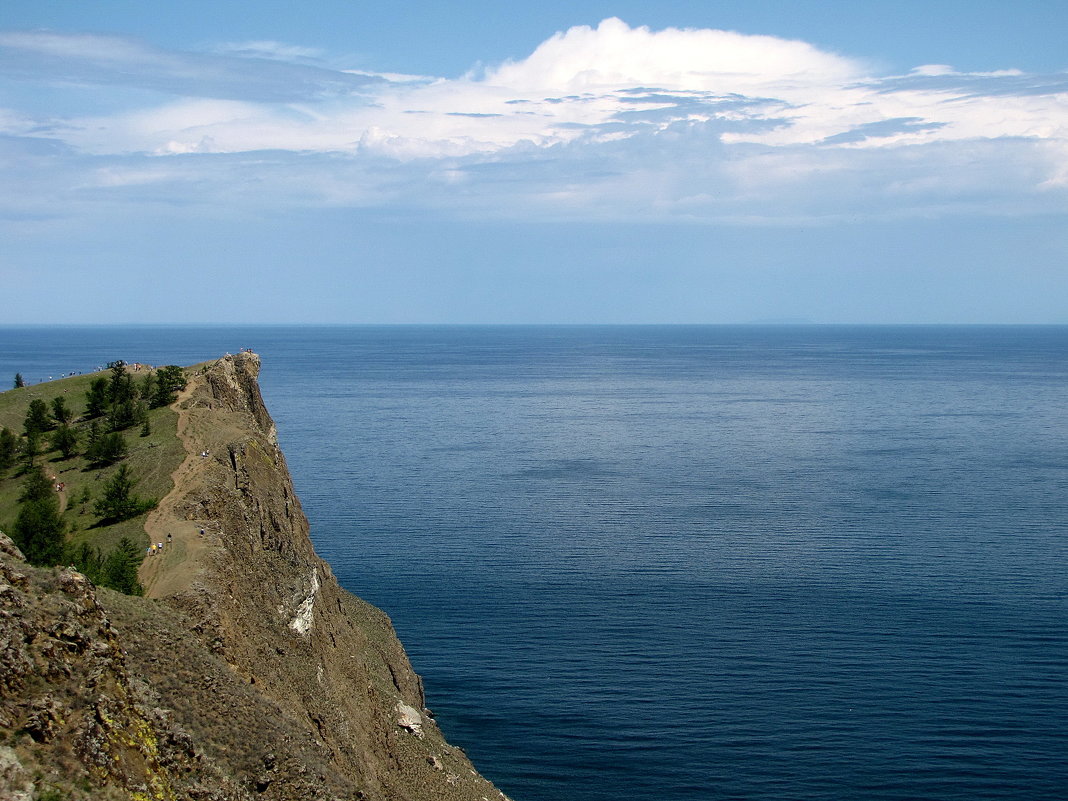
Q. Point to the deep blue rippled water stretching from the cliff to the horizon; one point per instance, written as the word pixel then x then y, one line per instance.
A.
pixel 669 564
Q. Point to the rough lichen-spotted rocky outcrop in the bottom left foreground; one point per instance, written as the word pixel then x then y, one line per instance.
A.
pixel 82 724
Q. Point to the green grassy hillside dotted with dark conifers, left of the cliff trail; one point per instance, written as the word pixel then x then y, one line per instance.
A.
pixel 88 435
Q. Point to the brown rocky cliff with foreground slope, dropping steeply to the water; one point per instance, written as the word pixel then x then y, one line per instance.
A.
pixel 248 671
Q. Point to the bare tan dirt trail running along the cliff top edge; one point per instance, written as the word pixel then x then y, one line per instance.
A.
pixel 172 569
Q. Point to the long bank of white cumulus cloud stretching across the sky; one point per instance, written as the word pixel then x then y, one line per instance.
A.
pixel 598 123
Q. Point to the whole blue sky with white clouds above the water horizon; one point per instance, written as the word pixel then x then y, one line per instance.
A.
pixel 552 163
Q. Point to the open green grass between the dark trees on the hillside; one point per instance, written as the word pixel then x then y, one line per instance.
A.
pixel 151 459
